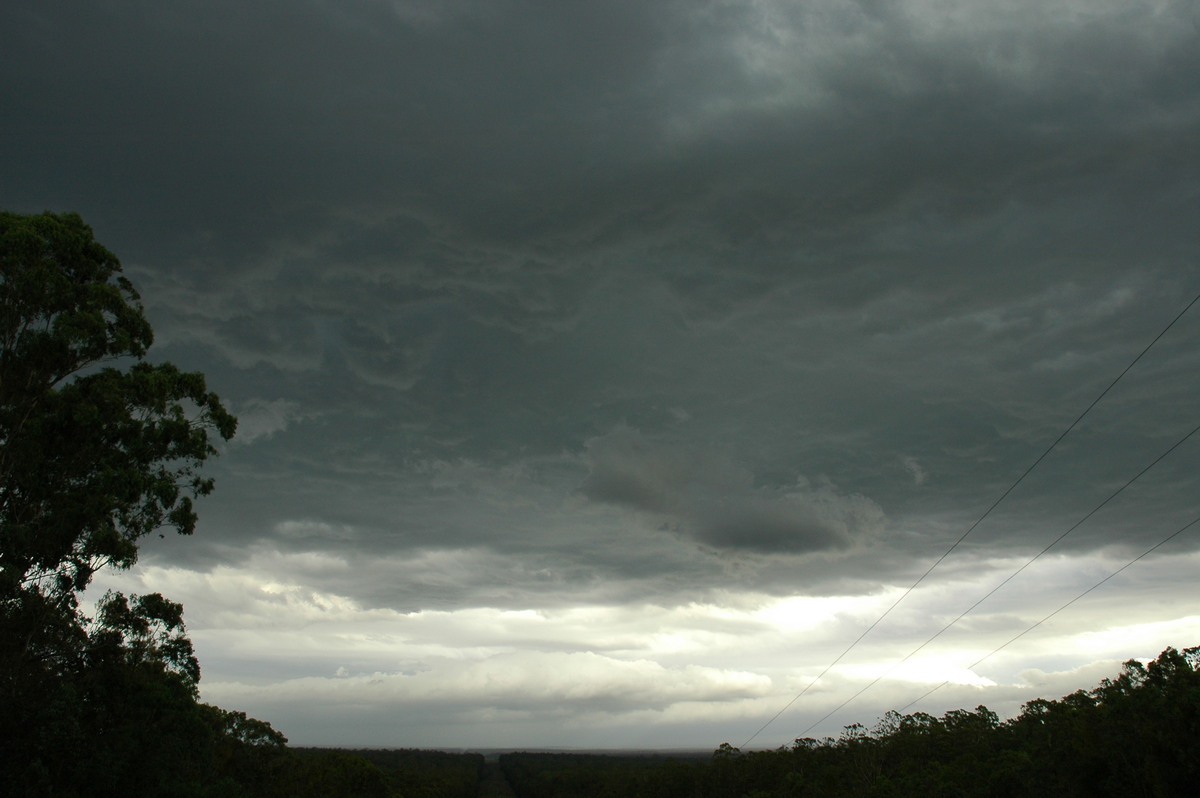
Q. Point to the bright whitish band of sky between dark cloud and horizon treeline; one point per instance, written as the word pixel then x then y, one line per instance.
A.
pixel 316 662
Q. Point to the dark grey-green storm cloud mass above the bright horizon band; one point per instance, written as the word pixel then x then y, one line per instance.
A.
pixel 835 245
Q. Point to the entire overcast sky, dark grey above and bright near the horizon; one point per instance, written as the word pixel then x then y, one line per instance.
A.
pixel 604 370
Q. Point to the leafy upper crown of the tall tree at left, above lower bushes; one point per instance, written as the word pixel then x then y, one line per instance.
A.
pixel 93 457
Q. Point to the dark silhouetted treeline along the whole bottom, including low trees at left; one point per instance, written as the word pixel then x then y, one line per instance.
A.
pixel 1136 735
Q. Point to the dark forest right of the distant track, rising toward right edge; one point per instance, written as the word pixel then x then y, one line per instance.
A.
pixel 1136 735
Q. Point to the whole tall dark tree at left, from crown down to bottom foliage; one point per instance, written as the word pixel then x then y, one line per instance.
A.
pixel 98 448
